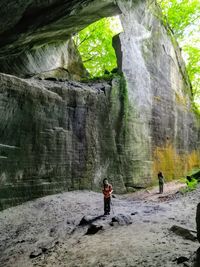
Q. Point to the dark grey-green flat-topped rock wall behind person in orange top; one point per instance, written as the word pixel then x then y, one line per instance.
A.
pixel 56 137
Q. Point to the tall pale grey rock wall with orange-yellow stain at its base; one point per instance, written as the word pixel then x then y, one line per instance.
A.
pixel 164 131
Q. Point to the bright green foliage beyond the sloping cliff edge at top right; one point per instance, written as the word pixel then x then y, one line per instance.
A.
pixel 183 17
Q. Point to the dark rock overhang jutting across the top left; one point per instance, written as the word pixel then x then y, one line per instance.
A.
pixel 29 24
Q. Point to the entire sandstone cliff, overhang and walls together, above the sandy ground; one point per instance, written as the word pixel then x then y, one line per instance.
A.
pixel 59 136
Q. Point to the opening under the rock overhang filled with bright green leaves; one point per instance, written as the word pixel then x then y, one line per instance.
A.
pixel 94 44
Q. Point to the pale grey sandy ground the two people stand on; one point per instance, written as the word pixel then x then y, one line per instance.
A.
pixel 46 231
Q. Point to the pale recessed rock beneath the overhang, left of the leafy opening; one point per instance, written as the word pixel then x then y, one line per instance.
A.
pixel 55 60
